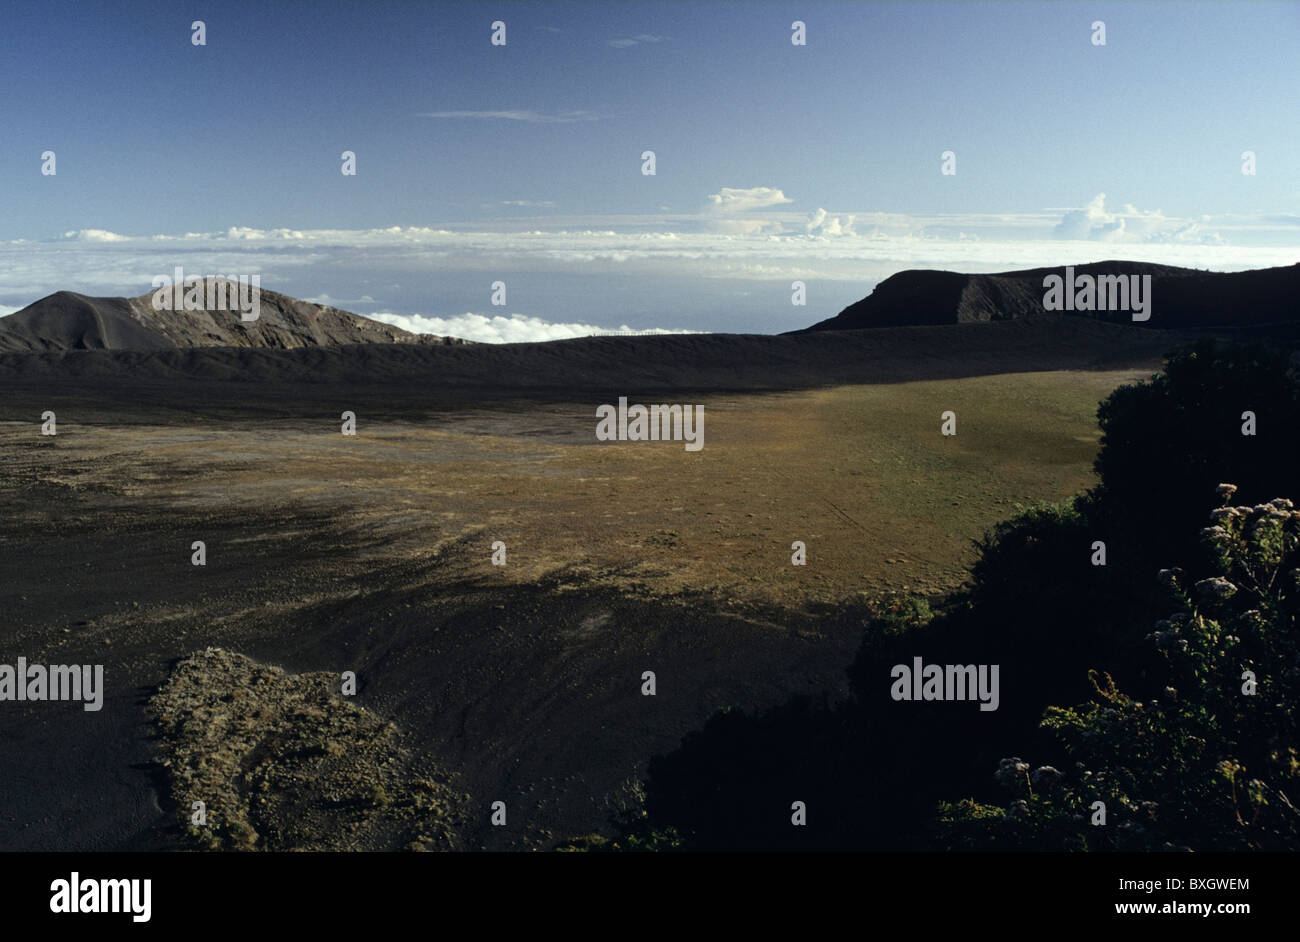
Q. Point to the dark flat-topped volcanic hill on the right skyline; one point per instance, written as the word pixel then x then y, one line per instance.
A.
pixel 1181 298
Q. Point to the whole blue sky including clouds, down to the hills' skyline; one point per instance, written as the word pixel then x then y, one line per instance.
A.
pixel 522 163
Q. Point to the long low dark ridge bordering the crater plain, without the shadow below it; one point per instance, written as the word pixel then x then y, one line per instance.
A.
pixel 704 362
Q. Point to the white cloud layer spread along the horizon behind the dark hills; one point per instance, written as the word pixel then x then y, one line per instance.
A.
pixel 739 235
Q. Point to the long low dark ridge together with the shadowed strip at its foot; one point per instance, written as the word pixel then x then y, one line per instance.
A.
pixel 411 377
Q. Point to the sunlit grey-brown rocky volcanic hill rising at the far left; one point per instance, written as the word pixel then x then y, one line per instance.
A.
pixel 68 322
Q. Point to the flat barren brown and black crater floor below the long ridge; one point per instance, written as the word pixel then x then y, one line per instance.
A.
pixel 372 554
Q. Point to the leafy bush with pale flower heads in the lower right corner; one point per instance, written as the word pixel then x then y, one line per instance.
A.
pixel 1212 765
